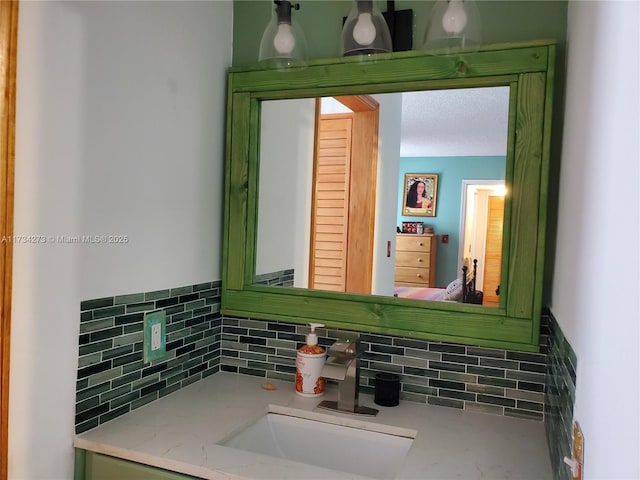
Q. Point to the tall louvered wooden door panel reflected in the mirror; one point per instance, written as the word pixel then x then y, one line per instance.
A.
pixel 331 203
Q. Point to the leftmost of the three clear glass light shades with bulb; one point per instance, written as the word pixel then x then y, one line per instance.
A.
pixel 283 44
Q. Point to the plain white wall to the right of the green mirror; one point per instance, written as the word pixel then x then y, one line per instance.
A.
pixel 596 285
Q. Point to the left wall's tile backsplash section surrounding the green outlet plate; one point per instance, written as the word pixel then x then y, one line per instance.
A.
pixel 112 377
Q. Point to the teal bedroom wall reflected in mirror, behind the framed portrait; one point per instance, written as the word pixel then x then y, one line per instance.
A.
pixel 451 172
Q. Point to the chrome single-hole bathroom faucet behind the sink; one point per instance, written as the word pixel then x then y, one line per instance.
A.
pixel 343 365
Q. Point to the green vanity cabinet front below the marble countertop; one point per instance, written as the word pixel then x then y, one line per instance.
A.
pixel 95 466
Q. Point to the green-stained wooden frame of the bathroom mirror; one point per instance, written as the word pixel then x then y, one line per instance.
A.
pixel 527 68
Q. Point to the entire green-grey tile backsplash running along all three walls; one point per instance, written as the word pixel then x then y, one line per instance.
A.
pixel 113 379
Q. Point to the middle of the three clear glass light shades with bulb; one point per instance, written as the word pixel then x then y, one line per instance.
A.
pixel 365 31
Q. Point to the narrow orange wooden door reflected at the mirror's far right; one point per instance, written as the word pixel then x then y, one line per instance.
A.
pixel 493 250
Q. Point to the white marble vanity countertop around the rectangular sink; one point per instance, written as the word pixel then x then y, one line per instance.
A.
pixel 182 431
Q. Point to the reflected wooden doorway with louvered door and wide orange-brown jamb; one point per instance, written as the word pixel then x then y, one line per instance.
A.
pixel 344 179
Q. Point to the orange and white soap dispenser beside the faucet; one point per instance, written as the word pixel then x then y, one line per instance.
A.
pixel 309 363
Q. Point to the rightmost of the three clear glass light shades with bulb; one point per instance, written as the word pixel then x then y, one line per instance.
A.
pixel 454 25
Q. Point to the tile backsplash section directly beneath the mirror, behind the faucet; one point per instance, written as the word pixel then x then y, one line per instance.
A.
pixel 473 378
